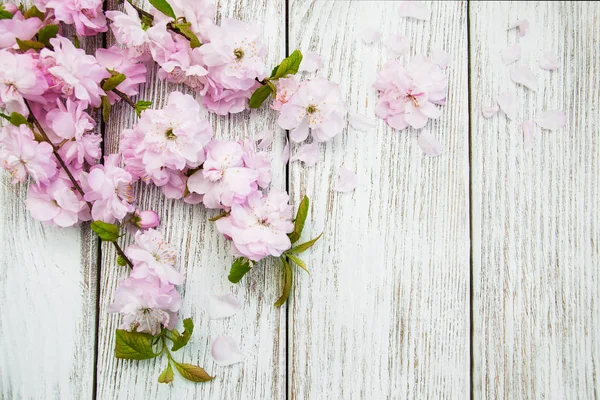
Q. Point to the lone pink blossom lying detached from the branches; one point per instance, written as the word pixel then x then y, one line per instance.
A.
pixel 408 95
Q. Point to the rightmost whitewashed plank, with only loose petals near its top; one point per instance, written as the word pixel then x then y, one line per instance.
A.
pixel 536 222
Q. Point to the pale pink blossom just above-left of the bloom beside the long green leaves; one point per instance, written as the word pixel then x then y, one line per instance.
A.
pixel 225 178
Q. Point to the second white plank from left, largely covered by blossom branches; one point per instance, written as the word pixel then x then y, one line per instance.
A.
pixel 206 258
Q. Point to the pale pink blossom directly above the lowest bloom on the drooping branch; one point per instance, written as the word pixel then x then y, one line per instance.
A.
pixel 151 255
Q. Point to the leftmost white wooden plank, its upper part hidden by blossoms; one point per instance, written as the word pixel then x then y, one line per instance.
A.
pixel 48 285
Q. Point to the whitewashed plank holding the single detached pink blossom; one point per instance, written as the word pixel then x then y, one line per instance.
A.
pixel 385 311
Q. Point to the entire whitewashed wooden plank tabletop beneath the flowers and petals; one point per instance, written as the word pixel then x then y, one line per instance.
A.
pixel 476 273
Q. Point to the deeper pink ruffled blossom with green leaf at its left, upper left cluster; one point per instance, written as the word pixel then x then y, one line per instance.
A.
pixel 117 59
